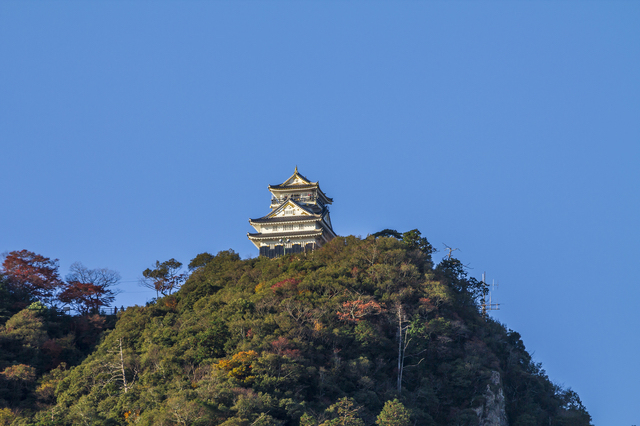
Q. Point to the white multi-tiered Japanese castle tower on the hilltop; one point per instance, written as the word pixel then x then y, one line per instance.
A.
pixel 299 219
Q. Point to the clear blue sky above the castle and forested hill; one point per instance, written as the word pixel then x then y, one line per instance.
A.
pixel 132 132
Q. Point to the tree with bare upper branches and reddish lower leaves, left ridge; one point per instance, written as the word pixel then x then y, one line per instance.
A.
pixel 87 290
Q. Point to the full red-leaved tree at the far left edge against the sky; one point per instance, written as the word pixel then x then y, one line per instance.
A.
pixel 31 275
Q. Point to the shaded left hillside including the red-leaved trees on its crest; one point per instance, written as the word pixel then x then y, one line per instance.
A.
pixel 38 341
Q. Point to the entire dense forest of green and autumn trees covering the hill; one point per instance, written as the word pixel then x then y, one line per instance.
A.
pixel 361 332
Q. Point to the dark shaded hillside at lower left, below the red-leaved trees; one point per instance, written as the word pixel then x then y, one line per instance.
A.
pixel 37 344
